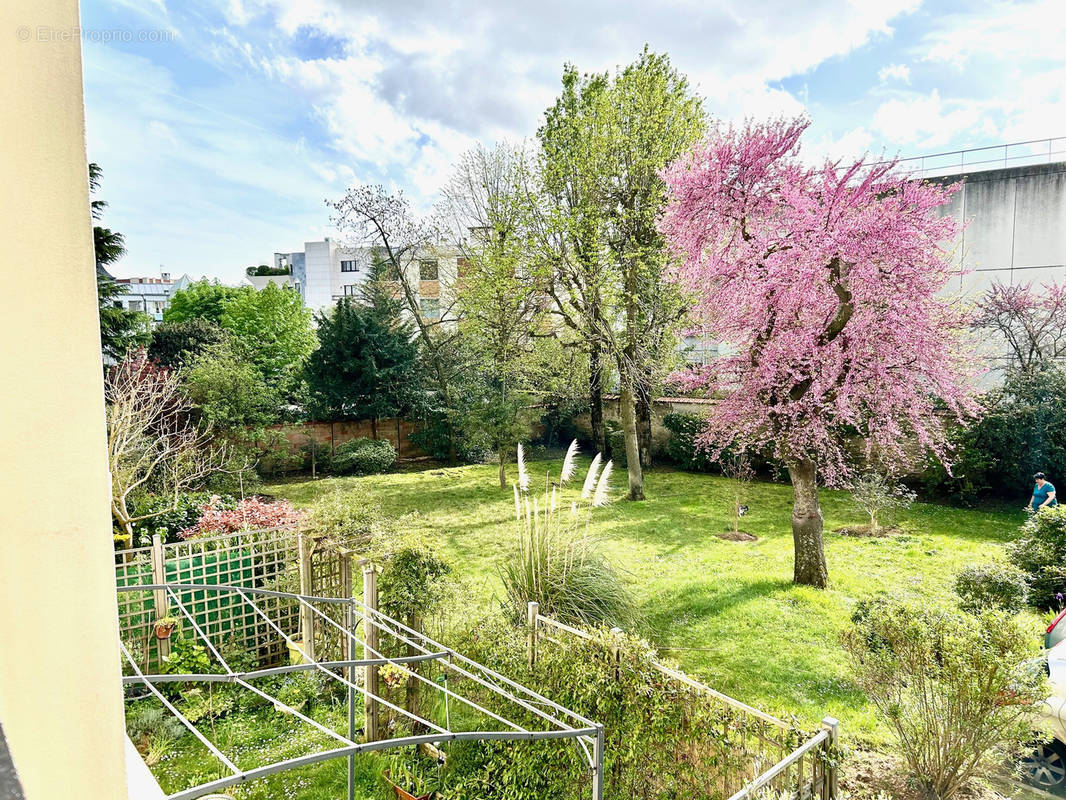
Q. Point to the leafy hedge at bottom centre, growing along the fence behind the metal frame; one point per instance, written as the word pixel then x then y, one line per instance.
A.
pixel 649 723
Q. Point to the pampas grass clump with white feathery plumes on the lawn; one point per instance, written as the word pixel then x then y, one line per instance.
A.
pixel 558 564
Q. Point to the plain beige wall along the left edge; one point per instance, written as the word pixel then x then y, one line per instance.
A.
pixel 60 696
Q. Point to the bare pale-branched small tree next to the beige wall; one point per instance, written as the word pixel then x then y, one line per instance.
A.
pixel 152 439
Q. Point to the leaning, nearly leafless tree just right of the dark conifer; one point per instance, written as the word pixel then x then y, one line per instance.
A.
pixel 401 239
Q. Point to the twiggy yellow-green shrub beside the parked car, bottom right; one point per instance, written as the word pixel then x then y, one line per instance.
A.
pixel 951 686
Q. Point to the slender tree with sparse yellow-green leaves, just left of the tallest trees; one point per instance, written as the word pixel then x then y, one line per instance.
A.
pixel 502 296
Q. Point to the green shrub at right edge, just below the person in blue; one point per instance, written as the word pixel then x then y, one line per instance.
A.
pixel 1041 554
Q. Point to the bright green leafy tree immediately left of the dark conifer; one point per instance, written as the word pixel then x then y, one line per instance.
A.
pixel 272 329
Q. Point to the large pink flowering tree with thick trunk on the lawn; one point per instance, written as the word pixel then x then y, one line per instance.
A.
pixel 826 286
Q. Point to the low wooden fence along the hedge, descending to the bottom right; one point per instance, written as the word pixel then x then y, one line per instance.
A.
pixel 772 765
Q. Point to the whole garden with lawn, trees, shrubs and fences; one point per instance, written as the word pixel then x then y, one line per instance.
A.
pixel 773 549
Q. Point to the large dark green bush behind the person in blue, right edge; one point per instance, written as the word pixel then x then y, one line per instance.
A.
pixel 1023 433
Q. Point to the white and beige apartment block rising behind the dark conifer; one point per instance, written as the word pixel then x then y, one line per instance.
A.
pixel 328 271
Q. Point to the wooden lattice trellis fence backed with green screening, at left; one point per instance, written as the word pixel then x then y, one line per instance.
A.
pixel 280 559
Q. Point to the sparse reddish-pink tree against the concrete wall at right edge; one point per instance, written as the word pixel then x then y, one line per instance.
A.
pixel 1032 322
